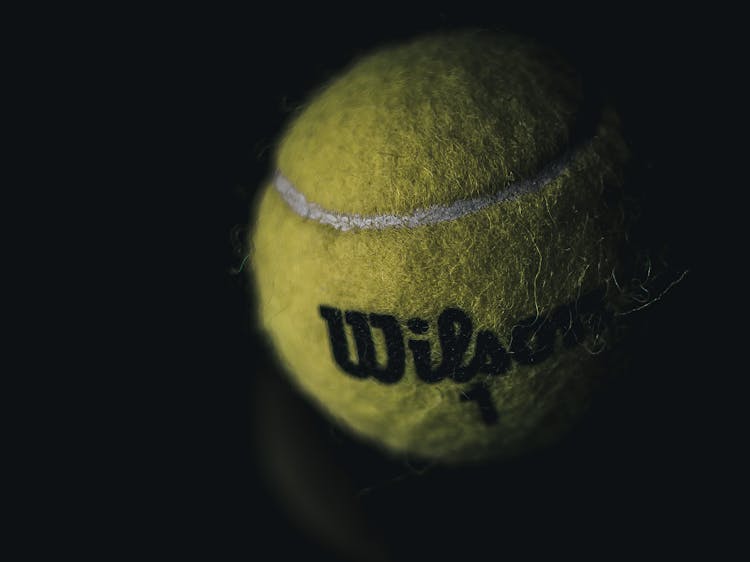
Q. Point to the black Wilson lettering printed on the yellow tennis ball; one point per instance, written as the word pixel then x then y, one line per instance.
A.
pixel 531 341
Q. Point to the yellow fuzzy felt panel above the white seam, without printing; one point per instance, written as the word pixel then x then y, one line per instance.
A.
pixel 438 119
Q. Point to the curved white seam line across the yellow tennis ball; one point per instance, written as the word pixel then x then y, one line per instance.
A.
pixel 429 215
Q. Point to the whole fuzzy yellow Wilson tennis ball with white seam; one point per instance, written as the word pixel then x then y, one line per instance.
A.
pixel 433 255
